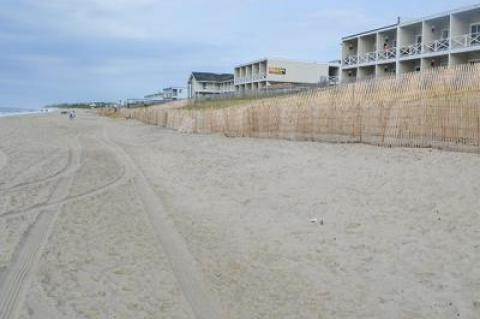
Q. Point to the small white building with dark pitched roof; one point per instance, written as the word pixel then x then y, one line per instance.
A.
pixel 203 84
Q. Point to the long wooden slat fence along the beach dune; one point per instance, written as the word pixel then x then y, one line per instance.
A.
pixel 439 108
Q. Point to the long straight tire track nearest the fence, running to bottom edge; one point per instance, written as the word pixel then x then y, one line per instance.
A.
pixel 185 267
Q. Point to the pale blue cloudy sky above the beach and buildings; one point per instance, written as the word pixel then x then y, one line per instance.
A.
pixel 54 51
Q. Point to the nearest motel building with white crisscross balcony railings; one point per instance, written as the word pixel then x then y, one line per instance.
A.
pixel 444 39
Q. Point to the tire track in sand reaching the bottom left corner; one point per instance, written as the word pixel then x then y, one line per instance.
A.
pixel 16 278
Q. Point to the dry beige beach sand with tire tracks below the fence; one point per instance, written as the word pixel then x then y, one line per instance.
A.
pixel 104 218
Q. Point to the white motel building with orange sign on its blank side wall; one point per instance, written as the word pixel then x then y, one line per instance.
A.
pixel 279 73
